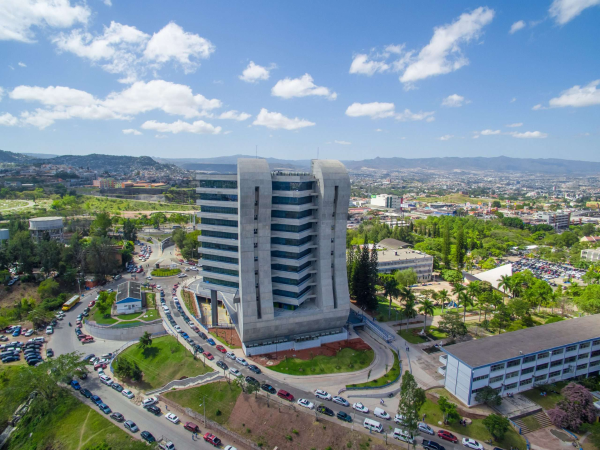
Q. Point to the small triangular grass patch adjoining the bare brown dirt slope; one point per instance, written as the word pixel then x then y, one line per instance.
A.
pixel 219 398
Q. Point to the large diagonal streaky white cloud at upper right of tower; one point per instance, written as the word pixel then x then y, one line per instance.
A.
pixel 443 53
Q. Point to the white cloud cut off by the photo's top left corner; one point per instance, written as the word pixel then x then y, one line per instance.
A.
pixel 17 17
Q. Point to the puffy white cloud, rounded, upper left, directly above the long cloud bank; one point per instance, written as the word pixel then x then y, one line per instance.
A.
pixel 173 43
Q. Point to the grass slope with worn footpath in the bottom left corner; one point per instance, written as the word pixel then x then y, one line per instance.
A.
pixel 70 424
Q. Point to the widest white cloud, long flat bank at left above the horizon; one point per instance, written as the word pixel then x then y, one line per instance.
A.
pixel 65 103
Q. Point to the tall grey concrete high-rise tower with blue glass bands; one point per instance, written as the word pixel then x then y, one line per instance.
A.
pixel 273 244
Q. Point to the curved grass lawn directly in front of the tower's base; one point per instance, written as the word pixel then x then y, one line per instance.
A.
pixel 346 360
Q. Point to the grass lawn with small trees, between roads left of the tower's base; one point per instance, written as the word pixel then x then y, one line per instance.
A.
pixel 164 361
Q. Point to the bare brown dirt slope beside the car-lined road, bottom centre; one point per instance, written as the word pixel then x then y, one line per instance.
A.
pixel 287 428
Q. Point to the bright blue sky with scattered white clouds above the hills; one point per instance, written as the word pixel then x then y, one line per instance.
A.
pixel 338 79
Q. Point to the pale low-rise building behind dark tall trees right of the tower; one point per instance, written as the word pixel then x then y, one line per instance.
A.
pixel 394 255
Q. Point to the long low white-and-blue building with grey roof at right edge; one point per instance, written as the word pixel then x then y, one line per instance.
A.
pixel 519 360
